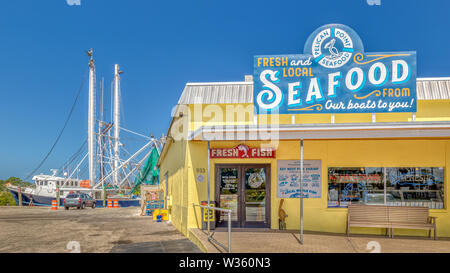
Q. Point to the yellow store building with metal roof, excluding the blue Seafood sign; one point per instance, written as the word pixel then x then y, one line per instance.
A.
pixel 398 159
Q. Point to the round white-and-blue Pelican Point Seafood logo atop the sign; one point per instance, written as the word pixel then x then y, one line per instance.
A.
pixel 332 47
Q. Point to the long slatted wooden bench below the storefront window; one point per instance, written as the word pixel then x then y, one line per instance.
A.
pixel 390 217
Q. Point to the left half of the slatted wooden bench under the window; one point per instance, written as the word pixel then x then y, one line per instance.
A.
pixel 368 216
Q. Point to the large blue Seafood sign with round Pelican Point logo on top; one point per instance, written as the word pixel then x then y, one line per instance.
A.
pixel 335 75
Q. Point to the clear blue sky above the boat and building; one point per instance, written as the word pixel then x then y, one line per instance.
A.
pixel 161 45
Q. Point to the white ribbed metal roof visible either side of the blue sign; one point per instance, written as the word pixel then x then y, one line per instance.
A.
pixel 242 92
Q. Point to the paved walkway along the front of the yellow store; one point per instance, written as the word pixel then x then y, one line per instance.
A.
pixel 274 241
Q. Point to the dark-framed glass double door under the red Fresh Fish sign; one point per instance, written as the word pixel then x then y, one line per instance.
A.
pixel 244 188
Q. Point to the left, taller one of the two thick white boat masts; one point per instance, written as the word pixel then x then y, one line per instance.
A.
pixel 91 119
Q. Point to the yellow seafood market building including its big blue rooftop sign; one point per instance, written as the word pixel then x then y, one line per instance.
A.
pixel 248 135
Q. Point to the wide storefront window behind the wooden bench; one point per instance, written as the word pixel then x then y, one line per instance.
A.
pixel 402 186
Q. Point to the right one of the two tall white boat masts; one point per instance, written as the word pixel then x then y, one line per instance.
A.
pixel 117 73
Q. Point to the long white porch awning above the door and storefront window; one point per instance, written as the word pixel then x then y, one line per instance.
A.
pixel 323 131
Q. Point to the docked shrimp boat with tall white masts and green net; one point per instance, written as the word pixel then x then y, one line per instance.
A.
pixel 117 176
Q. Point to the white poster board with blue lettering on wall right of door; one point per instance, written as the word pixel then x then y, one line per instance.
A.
pixel 288 179
